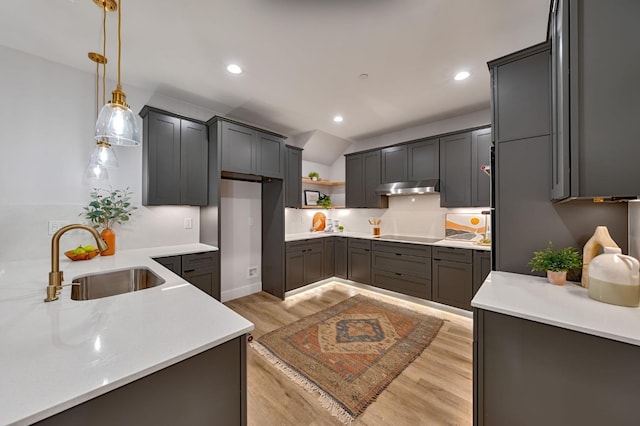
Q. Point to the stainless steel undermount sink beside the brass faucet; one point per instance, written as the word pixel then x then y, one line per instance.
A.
pixel 105 284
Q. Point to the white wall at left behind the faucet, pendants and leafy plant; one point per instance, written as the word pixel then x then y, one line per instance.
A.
pixel 46 135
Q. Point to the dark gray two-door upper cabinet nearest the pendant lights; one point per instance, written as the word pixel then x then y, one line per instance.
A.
pixel 174 165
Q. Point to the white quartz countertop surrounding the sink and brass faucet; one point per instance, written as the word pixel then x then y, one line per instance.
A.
pixel 56 355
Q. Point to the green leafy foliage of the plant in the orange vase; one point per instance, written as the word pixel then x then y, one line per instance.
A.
pixel 108 207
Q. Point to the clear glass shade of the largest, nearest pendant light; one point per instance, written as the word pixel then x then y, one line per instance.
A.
pixel 117 125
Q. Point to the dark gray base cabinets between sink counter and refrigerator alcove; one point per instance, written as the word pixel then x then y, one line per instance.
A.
pixel 200 269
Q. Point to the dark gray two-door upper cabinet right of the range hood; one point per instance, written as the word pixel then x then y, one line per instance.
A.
pixel 462 182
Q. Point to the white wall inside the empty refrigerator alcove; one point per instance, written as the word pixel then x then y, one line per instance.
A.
pixel 241 238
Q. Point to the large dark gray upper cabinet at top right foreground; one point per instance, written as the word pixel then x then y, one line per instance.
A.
pixel 595 123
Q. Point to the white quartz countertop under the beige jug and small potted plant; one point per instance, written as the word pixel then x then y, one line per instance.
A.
pixel 568 306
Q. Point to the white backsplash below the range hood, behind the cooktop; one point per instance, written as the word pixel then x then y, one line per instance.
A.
pixel 419 215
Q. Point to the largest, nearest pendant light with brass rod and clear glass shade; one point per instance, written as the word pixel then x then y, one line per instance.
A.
pixel 116 123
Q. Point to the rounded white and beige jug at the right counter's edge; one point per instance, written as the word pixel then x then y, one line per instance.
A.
pixel 614 278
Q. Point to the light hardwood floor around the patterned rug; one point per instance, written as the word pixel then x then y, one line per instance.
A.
pixel 436 389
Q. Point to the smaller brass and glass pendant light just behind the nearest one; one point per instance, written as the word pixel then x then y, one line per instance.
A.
pixel 103 156
